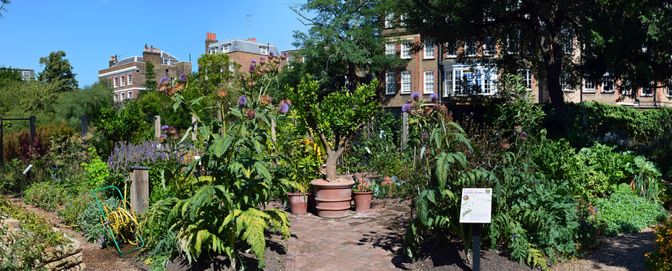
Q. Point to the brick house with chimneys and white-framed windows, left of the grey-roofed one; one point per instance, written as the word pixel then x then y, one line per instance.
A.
pixel 127 76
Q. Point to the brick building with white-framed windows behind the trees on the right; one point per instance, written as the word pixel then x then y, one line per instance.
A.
pixel 447 71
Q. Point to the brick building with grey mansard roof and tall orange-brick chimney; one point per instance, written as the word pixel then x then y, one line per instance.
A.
pixel 241 52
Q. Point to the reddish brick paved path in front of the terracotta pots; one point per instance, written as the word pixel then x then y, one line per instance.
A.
pixel 358 242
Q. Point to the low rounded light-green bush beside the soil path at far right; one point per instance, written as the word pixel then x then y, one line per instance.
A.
pixel 626 212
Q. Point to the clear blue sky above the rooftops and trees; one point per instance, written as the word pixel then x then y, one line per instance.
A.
pixel 89 31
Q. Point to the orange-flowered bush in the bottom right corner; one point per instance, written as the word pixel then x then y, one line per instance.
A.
pixel 661 257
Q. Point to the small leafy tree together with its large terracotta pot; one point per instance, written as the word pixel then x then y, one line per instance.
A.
pixel 332 121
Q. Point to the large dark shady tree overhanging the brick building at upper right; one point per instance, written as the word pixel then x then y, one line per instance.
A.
pixel 536 33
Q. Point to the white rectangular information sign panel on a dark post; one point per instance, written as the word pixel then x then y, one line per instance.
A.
pixel 476 205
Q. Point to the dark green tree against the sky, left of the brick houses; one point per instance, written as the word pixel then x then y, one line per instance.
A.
pixel 58 71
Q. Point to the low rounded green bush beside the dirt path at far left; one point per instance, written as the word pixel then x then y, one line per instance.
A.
pixel 46 195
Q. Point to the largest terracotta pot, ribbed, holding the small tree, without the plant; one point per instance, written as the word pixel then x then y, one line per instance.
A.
pixel 332 199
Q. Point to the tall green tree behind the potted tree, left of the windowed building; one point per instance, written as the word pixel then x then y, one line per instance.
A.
pixel 343 46
